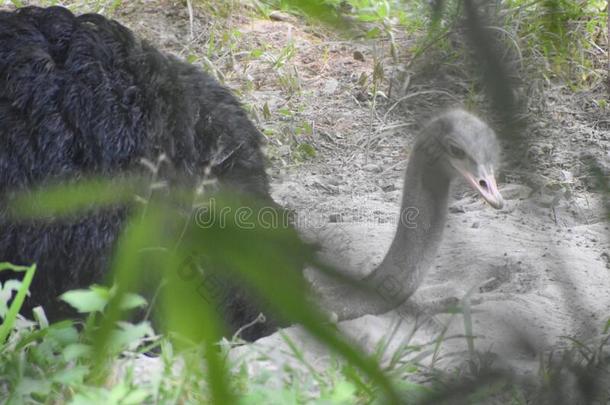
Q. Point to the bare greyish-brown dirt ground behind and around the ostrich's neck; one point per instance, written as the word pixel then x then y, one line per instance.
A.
pixel 538 270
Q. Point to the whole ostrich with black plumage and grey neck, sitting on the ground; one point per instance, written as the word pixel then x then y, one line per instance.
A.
pixel 81 95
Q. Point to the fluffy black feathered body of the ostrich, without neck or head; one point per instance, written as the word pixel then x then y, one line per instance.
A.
pixel 83 96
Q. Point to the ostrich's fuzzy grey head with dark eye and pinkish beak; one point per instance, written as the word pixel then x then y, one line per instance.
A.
pixel 466 147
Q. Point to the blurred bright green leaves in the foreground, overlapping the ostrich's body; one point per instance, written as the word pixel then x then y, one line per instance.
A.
pixel 157 242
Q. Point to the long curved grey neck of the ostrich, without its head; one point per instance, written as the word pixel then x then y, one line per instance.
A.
pixel 422 219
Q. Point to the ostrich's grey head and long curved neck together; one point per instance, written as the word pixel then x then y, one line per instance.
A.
pixel 455 144
